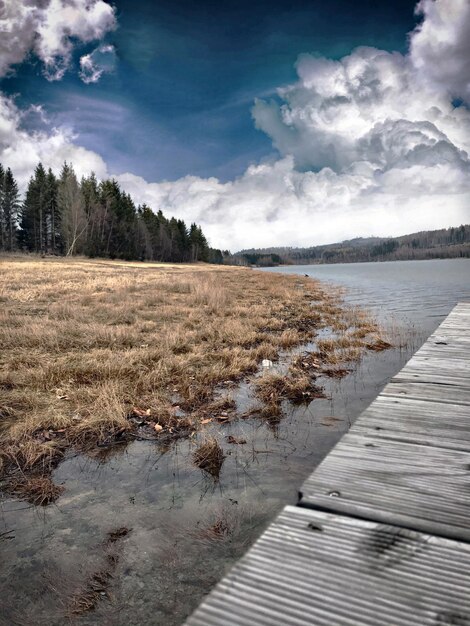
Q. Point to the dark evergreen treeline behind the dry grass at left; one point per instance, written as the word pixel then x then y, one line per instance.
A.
pixel 64 216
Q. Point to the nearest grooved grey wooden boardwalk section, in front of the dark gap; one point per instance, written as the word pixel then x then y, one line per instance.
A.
pixel 316 568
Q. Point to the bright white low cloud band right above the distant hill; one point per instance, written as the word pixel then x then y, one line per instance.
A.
pixel 273 204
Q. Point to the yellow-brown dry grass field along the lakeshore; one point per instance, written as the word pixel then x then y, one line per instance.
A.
pixel 92 350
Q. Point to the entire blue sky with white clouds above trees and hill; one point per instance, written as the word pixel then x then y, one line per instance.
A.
pixel 280 123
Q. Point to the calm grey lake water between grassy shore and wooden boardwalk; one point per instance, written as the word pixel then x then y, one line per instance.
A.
pixel 171 559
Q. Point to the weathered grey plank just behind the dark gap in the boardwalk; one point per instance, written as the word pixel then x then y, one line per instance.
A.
pixel 420 486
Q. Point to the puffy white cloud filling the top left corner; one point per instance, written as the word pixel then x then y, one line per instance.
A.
pixel 47 29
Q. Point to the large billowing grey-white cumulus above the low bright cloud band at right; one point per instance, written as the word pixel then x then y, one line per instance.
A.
pixel 369 106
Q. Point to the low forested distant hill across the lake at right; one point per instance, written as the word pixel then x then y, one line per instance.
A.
pixel 430 244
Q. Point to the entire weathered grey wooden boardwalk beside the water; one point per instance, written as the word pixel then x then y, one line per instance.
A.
pixel 381 534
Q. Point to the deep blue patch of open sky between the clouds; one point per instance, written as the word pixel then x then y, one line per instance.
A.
pixel 179 99
